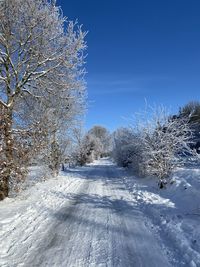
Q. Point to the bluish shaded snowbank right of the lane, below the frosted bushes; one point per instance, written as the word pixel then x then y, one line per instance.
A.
pixel 174 211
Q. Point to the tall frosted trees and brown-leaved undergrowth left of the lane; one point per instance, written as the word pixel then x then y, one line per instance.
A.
pixel 42 88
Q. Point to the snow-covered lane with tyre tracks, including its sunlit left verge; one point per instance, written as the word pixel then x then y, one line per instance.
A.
pixel 97 223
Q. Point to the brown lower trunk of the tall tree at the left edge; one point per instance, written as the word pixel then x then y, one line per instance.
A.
pixel 8 165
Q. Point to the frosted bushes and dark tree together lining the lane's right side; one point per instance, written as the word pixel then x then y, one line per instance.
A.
pixel 157 143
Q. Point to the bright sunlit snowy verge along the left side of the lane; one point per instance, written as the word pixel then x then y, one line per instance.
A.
pixel 25 218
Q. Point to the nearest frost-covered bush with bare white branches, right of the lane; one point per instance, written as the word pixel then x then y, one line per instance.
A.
pixel 166 141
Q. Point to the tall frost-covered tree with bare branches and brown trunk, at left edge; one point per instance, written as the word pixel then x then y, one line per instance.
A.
pixel 41 54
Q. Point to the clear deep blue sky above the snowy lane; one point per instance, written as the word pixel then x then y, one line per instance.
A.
pixel 138 50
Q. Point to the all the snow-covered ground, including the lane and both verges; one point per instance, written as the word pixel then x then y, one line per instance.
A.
pixel 99 215
